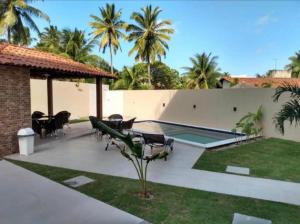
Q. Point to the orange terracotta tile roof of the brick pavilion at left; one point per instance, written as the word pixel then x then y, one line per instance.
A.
pixel 33 58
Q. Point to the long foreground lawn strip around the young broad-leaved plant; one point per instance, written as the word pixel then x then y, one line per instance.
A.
pixel 171 204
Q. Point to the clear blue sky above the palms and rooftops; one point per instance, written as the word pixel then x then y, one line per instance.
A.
pixel 249 37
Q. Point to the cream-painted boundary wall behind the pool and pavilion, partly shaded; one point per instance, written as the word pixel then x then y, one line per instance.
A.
pixel 214 108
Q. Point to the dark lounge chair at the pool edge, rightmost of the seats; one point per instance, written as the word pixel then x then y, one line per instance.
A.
pixel 158 141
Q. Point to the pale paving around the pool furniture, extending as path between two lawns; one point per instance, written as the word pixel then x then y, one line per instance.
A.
pixel 88 154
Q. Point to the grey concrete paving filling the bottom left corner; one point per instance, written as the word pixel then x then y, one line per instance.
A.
pixel 28 198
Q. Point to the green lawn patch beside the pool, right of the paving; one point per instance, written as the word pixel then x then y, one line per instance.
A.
pixel 269 158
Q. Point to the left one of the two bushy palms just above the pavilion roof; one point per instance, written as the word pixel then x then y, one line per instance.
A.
pixel 50 40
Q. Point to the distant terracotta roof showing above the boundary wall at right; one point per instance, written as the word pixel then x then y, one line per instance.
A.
pixel 260 82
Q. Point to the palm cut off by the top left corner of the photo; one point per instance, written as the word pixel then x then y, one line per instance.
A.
pixel 13 14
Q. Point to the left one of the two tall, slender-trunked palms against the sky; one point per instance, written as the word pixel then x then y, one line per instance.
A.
pixel 108 27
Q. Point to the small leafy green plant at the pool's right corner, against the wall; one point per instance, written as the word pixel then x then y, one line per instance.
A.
pixel 250 124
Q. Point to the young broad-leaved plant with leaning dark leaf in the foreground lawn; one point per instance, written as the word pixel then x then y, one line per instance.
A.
pixel 135 154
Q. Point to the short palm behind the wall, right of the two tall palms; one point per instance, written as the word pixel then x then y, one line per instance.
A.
pixel 204 72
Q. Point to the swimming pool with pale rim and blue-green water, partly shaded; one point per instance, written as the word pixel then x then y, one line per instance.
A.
pixel 194 135
